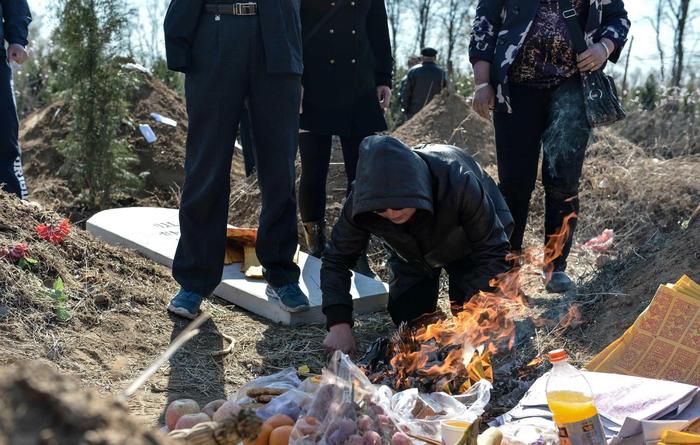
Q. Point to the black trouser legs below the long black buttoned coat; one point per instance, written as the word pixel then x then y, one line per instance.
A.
pixel 315 153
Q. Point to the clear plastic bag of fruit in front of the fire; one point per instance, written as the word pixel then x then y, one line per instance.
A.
pixel 348 410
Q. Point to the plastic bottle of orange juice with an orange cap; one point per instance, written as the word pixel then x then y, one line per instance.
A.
pixel 570 399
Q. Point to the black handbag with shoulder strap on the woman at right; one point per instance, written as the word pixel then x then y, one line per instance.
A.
pixel 603 106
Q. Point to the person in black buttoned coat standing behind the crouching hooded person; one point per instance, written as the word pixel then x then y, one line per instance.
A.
pixel 347 80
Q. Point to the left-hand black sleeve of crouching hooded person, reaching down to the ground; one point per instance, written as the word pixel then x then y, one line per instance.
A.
pixel 341 254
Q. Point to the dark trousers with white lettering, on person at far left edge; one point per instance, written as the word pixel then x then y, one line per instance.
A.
pixel 11 176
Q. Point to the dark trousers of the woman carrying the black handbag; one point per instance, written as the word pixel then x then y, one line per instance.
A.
pixel 555 121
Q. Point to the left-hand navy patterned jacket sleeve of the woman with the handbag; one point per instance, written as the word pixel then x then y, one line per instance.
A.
pixel 487 24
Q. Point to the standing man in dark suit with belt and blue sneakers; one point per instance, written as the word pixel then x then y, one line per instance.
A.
pixel 232 53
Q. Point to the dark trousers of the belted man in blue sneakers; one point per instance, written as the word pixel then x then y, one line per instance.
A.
pixel 228 67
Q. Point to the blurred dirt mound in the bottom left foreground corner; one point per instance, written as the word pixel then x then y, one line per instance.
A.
pixel 40 405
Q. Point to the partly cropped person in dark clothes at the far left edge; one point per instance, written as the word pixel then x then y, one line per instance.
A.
pixel 14 23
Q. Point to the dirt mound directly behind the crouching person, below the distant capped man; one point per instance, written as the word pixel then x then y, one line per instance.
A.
pixel 448 119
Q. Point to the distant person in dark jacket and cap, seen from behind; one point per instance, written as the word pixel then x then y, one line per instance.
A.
pixel 422 83
